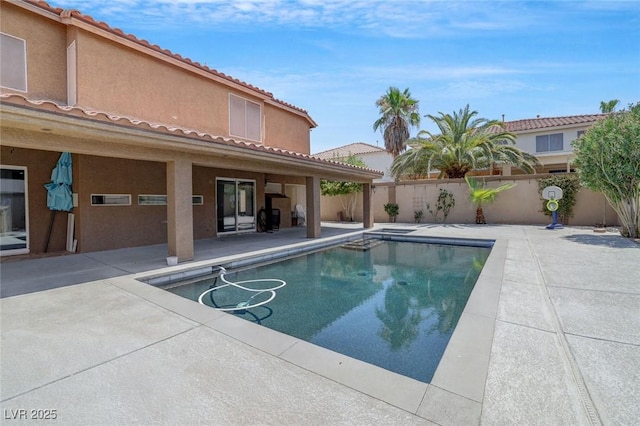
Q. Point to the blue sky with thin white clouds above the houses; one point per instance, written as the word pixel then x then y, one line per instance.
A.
pixel 335 58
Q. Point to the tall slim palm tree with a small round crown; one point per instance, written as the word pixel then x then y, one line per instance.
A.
pixel 398 113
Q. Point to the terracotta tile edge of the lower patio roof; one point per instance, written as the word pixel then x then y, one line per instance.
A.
pixel 51 106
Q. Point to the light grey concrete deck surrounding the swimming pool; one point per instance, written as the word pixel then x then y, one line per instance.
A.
pixel 554 334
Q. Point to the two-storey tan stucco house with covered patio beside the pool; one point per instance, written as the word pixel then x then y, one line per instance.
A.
pixel 164 150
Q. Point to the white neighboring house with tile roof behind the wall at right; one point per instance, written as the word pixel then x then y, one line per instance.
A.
pixel 550 139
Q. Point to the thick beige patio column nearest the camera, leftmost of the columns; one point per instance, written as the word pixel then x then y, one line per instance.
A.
pixel 180 209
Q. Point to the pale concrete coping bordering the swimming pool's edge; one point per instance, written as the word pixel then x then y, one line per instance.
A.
pixel 457 385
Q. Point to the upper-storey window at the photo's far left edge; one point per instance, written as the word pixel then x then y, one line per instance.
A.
pixel 13 66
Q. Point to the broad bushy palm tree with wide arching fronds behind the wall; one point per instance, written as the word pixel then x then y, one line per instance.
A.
pixel 464 144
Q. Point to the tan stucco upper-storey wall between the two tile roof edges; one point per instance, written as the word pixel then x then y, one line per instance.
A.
pixel 125 79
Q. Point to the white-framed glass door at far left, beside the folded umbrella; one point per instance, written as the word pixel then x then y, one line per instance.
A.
pixel 14 236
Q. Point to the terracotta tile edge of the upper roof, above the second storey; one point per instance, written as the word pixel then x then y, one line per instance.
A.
pixel 73 13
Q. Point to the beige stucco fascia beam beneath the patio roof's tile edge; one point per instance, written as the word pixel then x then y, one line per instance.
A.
pixel 203 147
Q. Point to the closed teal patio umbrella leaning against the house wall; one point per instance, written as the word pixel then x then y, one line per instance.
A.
pixel 59 197
